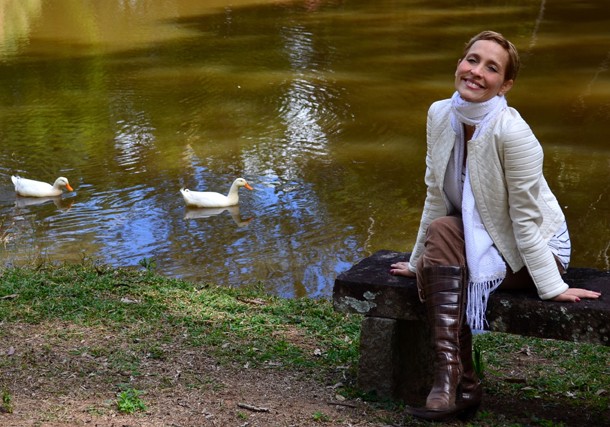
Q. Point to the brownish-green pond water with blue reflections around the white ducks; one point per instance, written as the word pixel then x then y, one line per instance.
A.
pixel 319 105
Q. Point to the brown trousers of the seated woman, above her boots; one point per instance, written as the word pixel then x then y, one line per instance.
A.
pixel 445 246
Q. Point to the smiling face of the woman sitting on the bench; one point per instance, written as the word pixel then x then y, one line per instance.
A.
pixel 480 74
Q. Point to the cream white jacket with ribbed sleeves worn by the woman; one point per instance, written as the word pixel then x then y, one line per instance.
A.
pixel 516 205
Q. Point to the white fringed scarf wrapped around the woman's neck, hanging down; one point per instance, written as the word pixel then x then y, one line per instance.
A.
pixel 486 268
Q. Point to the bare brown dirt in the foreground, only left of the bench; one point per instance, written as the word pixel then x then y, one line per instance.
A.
pixel 57 387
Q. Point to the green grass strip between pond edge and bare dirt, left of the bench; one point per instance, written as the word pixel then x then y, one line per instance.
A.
pixel 262 327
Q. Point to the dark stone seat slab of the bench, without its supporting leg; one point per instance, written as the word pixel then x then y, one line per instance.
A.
pixel 369 289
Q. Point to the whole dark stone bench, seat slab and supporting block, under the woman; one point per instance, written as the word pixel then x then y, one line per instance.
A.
pixel 395 350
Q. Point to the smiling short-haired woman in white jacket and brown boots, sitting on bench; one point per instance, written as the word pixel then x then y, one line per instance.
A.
pixel 489 219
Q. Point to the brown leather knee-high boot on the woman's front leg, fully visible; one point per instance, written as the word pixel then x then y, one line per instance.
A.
pixel 445 290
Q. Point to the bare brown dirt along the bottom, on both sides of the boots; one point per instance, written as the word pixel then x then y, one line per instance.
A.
pixel 53 382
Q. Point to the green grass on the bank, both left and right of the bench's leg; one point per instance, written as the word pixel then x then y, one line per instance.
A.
pixel 149 317
